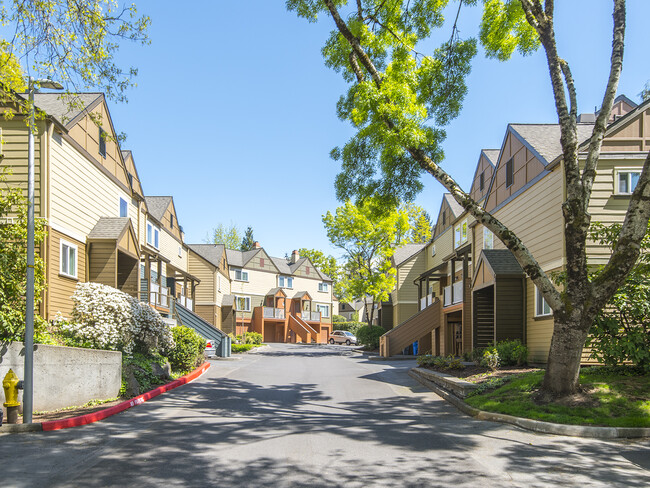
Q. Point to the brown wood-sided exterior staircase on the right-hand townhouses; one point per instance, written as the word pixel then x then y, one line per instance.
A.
pixel 416 328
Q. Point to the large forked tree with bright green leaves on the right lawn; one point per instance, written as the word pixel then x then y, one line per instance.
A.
pixel 399 101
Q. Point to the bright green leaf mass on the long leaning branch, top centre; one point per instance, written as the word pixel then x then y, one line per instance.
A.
pixel 394 112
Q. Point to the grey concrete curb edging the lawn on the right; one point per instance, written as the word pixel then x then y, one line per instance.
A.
pixel 533 425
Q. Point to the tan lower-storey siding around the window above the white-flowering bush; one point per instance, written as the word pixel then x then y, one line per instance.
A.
pixel 60 288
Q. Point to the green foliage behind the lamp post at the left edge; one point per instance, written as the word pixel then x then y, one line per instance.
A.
pixel 13 264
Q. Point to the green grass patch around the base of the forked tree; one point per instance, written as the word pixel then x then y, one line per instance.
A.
pixel 614 397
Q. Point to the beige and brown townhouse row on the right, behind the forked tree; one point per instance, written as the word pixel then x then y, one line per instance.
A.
pixel 473 292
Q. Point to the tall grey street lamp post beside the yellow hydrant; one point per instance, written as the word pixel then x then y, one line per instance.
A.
pixel 28 384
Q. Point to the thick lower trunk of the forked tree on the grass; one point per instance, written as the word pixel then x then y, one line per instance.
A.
pixel 563 368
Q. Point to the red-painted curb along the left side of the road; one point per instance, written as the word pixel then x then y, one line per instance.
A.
pixel 107 412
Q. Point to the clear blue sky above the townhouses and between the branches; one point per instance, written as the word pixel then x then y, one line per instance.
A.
pixel 234 113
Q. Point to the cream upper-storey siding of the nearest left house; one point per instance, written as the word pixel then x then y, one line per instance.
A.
pixel 80 193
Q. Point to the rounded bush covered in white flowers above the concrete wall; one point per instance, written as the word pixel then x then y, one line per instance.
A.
pixel 111 319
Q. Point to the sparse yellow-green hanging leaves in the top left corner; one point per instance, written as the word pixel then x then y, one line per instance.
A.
pixel 74 43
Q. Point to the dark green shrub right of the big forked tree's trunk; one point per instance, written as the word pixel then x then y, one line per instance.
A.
pixel 621 331
